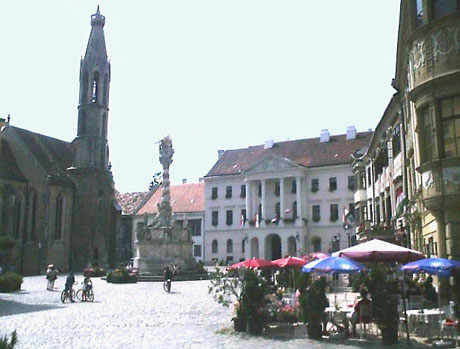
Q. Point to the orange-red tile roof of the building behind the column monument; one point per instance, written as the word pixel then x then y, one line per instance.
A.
pixel 184 198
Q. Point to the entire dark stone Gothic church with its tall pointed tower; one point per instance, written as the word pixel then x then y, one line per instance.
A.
pixel 57 198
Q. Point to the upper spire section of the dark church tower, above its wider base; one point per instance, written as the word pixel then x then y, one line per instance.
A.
pixel 91 142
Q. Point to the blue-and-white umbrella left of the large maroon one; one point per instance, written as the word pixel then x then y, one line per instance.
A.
pixel 330 265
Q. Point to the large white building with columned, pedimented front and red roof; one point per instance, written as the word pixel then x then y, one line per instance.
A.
pixel 280 199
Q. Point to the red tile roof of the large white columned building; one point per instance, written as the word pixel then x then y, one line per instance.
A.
pixel 305 152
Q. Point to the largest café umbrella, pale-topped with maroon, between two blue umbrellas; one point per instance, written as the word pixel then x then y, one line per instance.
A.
pixel 379 251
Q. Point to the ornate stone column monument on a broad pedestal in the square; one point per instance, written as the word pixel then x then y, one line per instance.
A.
pixel 160 243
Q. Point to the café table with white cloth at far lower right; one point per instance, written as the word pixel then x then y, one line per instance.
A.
pixel 424 322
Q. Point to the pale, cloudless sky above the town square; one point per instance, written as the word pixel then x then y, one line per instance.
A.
pixel 210 74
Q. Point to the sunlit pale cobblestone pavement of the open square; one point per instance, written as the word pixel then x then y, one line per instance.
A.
pixel 128 316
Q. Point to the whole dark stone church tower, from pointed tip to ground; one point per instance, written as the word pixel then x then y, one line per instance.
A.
pixel 96 216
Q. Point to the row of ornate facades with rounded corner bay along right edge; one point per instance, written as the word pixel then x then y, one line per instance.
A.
pixel 425 112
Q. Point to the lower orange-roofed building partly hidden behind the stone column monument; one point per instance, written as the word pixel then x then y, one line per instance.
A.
pixel 187 205
